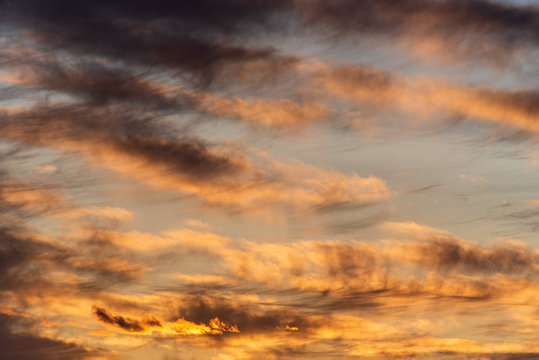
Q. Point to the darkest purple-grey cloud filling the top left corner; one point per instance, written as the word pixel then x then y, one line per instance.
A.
pixel 187 37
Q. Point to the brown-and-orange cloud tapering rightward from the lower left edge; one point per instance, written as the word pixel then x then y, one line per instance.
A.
pixel 33 264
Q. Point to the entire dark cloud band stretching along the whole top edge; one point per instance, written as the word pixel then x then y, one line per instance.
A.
pixel 200 42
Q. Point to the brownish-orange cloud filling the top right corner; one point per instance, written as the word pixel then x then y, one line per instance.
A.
pixel 493 32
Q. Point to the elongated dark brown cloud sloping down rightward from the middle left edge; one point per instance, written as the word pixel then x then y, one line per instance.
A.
pixel 124 131
